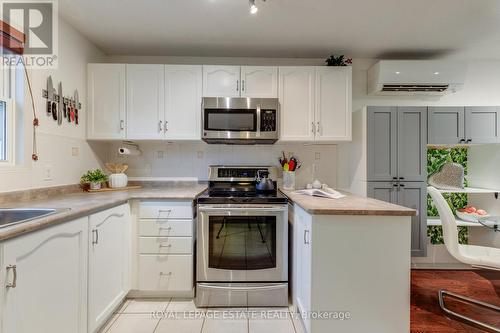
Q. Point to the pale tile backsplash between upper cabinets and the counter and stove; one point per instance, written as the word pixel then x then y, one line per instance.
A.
pixel 191 159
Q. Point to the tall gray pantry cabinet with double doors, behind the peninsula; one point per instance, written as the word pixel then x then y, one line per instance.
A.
pixel 397 163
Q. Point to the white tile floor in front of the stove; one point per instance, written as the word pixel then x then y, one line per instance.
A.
pixel 181 316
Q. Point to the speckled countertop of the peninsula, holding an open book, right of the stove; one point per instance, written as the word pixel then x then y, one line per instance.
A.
pixel 349 205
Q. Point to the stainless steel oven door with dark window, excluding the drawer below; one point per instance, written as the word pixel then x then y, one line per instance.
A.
pixel 241 243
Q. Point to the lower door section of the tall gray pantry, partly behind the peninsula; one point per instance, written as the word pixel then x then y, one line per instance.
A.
pixel 408 194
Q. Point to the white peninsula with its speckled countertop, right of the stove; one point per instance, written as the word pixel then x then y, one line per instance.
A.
pixel 350 264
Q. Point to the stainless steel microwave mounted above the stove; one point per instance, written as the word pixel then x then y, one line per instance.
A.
pixel 227 120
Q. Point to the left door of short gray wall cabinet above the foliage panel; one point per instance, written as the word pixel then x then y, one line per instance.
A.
pixel 446 125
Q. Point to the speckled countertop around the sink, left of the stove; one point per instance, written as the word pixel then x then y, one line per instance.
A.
pixel 83 204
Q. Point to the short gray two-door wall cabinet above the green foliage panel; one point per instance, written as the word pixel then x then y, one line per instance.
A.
pixel 454 125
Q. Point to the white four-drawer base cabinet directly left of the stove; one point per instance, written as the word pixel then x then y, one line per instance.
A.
pixel 165 248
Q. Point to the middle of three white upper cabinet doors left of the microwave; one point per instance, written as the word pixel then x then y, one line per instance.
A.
pixel 145 101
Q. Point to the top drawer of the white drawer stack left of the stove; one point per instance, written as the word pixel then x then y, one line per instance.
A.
pixel 166 210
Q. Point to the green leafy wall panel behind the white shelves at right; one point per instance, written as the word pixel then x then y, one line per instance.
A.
pixel 436 158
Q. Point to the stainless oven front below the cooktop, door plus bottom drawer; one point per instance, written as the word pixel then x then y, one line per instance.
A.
pixel 242 255
